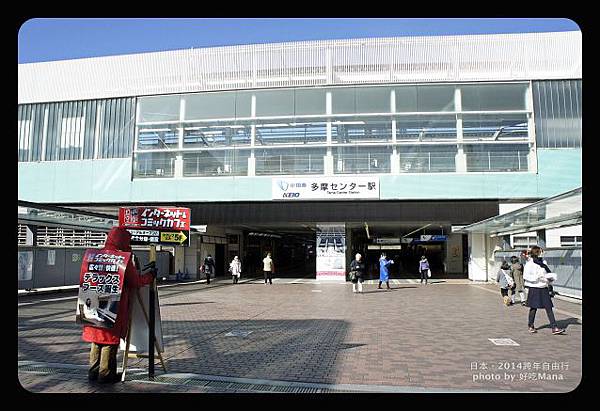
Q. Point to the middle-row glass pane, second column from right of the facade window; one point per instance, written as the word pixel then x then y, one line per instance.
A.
pixel 426 128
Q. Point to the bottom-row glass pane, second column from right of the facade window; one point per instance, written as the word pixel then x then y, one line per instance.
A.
pixel 427 158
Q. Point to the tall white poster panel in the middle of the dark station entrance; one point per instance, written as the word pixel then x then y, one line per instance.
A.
pixel 331 252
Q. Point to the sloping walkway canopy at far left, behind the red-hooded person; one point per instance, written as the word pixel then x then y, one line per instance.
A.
pixel 38 214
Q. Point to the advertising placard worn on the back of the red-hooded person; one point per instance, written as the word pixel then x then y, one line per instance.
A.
pixel 100 285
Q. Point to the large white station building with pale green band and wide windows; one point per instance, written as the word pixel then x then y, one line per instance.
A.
pixel 311 150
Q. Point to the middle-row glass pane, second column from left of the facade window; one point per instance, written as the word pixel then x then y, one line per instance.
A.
pixel 216 135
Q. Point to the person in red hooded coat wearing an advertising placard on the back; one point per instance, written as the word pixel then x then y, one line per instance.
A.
pixel 109 264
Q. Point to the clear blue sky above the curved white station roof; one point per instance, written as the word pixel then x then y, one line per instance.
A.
pixel 69 38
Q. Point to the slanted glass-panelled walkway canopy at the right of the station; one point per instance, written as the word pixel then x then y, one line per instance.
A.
pixel 559 211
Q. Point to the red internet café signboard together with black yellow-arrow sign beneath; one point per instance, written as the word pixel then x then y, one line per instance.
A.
pixel 156 225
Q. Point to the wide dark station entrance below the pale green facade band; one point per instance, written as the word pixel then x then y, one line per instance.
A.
pixel 404 230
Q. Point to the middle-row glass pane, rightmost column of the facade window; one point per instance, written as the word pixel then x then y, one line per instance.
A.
pixel 495 127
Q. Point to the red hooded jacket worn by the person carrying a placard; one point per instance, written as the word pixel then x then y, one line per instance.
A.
pixel 118 239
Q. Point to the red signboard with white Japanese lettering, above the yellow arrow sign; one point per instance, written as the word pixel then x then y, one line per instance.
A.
pixel 157 218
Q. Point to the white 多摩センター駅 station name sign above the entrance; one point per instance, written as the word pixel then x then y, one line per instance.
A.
pixel 325 188
